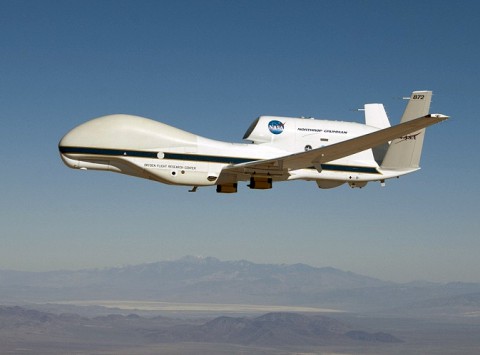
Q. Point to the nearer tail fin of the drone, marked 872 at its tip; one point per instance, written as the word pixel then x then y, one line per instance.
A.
pixel 405 152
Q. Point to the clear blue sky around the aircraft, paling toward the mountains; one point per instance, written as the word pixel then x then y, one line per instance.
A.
pixel 211 68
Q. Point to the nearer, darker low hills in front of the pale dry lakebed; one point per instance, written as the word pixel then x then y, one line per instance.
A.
pixel 272 329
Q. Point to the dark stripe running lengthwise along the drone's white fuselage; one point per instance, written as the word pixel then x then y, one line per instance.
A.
pixel 199 158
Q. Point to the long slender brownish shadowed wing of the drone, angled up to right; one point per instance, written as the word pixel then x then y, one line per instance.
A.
pixel 315 157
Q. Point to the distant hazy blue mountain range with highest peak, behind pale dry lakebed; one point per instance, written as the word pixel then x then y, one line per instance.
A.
pixel 209 280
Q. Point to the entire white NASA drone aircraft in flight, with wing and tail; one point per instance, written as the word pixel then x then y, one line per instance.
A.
pixel 330 153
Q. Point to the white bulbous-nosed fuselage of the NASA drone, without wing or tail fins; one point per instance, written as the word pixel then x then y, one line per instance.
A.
pixel 144 148
